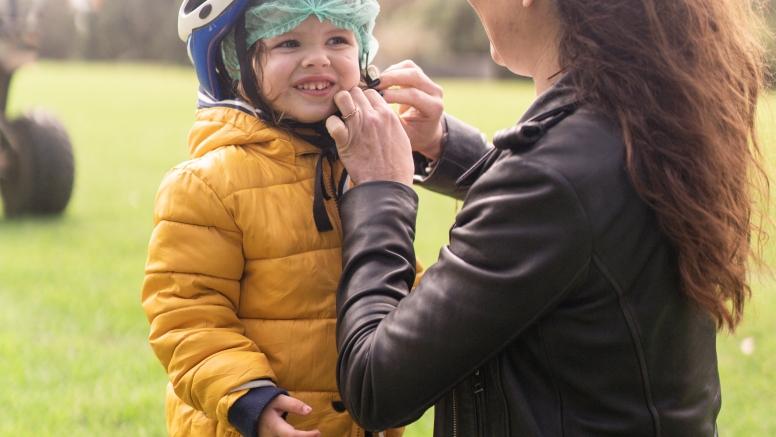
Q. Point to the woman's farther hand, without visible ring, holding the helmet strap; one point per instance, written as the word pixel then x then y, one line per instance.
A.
pixel 420 105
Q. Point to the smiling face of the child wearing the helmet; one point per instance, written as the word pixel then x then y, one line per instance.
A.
pixel 304 68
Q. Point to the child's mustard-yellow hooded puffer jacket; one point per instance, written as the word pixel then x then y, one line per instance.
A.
pixel 240 285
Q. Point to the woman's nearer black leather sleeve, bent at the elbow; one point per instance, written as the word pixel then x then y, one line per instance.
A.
pixel 521 242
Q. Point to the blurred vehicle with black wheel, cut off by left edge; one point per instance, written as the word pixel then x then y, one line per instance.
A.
pixel 36 156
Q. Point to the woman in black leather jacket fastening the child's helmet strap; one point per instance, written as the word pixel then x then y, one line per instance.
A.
pixel 602 243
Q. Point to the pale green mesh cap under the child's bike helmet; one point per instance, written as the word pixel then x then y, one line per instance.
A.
pixel 270 18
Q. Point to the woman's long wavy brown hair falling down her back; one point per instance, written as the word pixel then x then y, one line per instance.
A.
pixel 681 78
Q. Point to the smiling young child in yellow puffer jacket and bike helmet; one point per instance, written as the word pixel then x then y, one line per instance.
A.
pixel 244 260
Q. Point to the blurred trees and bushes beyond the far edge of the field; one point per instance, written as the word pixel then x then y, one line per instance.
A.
pixel 443 36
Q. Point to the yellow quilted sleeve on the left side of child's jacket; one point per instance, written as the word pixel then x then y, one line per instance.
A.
pixel 191 295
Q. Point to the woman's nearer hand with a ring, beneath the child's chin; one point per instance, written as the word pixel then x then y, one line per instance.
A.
pixel 370 138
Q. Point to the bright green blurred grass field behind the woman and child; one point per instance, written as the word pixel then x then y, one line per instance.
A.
pixel 74 360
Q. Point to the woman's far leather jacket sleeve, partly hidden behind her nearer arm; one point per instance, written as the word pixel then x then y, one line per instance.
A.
pixel 462 147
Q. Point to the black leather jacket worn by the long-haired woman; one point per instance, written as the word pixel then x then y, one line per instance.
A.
pixel 554 311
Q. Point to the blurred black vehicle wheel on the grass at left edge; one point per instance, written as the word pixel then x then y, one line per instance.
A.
pixel 40 180
